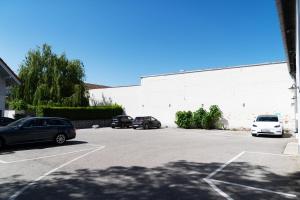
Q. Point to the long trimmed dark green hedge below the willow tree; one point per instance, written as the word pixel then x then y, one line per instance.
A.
pixel 81 113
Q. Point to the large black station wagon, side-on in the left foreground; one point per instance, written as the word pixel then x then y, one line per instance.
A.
pixel 37 129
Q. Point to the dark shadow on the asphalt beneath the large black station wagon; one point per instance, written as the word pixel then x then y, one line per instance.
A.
pixel 41 145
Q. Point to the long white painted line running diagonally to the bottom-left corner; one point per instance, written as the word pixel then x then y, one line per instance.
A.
pixel 18 193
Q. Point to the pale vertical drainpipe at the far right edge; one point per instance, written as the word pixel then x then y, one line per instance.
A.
pixel 298 68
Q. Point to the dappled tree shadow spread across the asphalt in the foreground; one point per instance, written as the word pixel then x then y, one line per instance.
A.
pixel 175 180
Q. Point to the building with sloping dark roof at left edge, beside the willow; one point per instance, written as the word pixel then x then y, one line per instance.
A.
pixel 7 79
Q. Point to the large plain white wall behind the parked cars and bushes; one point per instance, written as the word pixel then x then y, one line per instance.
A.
pixel 241 92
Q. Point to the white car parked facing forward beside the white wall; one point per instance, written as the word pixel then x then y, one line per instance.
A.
pixel 266 125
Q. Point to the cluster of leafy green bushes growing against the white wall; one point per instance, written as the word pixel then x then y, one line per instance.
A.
pixel 200 118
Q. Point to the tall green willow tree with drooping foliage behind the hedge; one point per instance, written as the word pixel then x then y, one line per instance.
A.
pixel 50 79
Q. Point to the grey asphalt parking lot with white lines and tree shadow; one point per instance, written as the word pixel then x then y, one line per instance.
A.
pixel 152 164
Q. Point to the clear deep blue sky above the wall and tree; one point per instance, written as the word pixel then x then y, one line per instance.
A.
pixel 120 40
